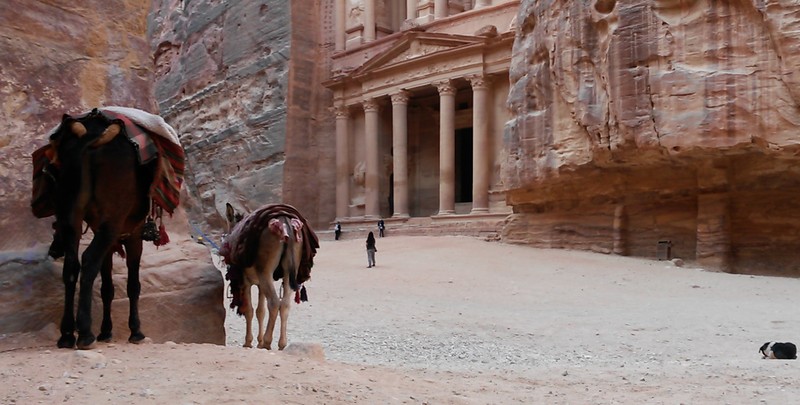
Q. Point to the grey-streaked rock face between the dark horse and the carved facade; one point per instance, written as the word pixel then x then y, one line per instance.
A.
pixel 223 79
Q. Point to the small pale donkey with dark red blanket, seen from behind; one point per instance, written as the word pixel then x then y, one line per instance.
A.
pixel 273 243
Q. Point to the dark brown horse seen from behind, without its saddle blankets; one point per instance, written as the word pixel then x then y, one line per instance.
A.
pixel 98 180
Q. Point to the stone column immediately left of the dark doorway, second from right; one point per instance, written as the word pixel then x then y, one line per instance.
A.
pixel 447 147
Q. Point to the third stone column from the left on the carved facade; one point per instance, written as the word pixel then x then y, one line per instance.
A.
pixel 400 152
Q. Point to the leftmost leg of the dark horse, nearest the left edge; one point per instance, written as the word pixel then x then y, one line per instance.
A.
pixel 69 274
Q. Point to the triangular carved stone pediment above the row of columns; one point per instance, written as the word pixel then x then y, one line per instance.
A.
pixel 414 46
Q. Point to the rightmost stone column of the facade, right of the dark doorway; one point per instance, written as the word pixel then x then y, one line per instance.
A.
pixel 481 145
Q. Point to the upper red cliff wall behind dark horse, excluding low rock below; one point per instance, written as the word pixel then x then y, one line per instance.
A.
pixel 61 57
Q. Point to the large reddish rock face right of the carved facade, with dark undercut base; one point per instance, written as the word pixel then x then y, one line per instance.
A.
pixel 641 121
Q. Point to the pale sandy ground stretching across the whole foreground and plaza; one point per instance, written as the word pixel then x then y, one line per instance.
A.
pixel 461 321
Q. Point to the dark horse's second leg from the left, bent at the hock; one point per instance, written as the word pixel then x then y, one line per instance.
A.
pixel 91 260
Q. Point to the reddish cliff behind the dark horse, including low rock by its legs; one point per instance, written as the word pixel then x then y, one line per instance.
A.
pixel 68 57
